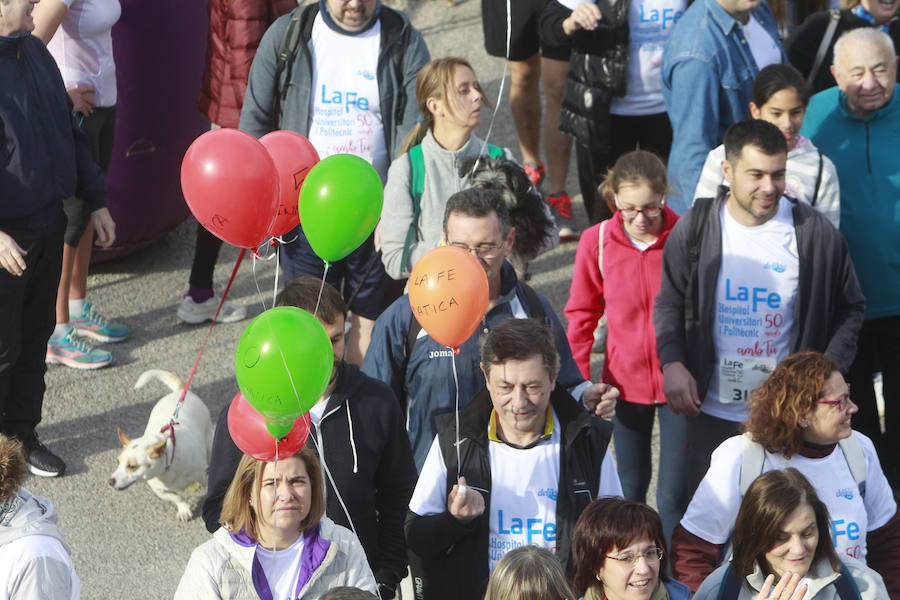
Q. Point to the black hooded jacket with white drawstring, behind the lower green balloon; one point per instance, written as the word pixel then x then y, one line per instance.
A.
pixel 367 452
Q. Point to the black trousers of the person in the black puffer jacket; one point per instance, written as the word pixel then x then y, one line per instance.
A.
pixel 648 132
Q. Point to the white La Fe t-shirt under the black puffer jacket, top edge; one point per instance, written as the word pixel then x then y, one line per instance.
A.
pixel 650 24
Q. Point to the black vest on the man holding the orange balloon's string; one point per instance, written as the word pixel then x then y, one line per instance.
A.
pixel 449 559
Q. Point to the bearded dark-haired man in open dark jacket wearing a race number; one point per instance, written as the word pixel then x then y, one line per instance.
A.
pixel 772 277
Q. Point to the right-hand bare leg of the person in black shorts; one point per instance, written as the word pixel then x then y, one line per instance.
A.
pixel 558 145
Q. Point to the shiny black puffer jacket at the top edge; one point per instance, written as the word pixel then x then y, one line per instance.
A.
pixel 598 70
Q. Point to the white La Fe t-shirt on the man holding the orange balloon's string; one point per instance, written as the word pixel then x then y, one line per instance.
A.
pixel 524 485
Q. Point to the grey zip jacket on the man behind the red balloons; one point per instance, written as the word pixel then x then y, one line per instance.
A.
pixel 396 90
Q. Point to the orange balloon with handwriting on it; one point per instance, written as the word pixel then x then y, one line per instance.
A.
pixel 448 294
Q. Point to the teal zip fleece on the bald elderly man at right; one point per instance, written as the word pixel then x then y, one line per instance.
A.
pixel 864 151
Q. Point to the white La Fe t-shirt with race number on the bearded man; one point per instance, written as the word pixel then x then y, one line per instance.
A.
pixel 755 295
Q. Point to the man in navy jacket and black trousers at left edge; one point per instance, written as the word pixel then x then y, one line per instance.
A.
pixel 44 158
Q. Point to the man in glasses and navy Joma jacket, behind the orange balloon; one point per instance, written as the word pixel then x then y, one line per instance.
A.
pixel 420 370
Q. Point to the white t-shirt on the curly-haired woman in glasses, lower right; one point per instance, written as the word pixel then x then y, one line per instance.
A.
pixel 715 504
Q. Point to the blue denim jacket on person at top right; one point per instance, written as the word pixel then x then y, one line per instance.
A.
pixel 707 78
